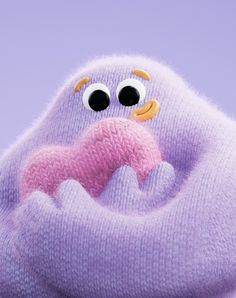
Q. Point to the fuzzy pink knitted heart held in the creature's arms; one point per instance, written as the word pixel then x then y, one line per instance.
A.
pixel 104 146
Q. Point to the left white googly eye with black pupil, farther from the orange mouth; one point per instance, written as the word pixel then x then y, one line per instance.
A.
pixel 96 97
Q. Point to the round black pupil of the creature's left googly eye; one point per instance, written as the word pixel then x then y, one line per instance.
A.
pixel 99 100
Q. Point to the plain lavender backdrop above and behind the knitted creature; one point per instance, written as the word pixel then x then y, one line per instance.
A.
pixel 42 42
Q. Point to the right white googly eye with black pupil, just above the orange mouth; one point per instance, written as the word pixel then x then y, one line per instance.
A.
pixel 130 91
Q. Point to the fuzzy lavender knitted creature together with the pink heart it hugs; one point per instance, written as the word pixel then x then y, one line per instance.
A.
pixel 125 187
